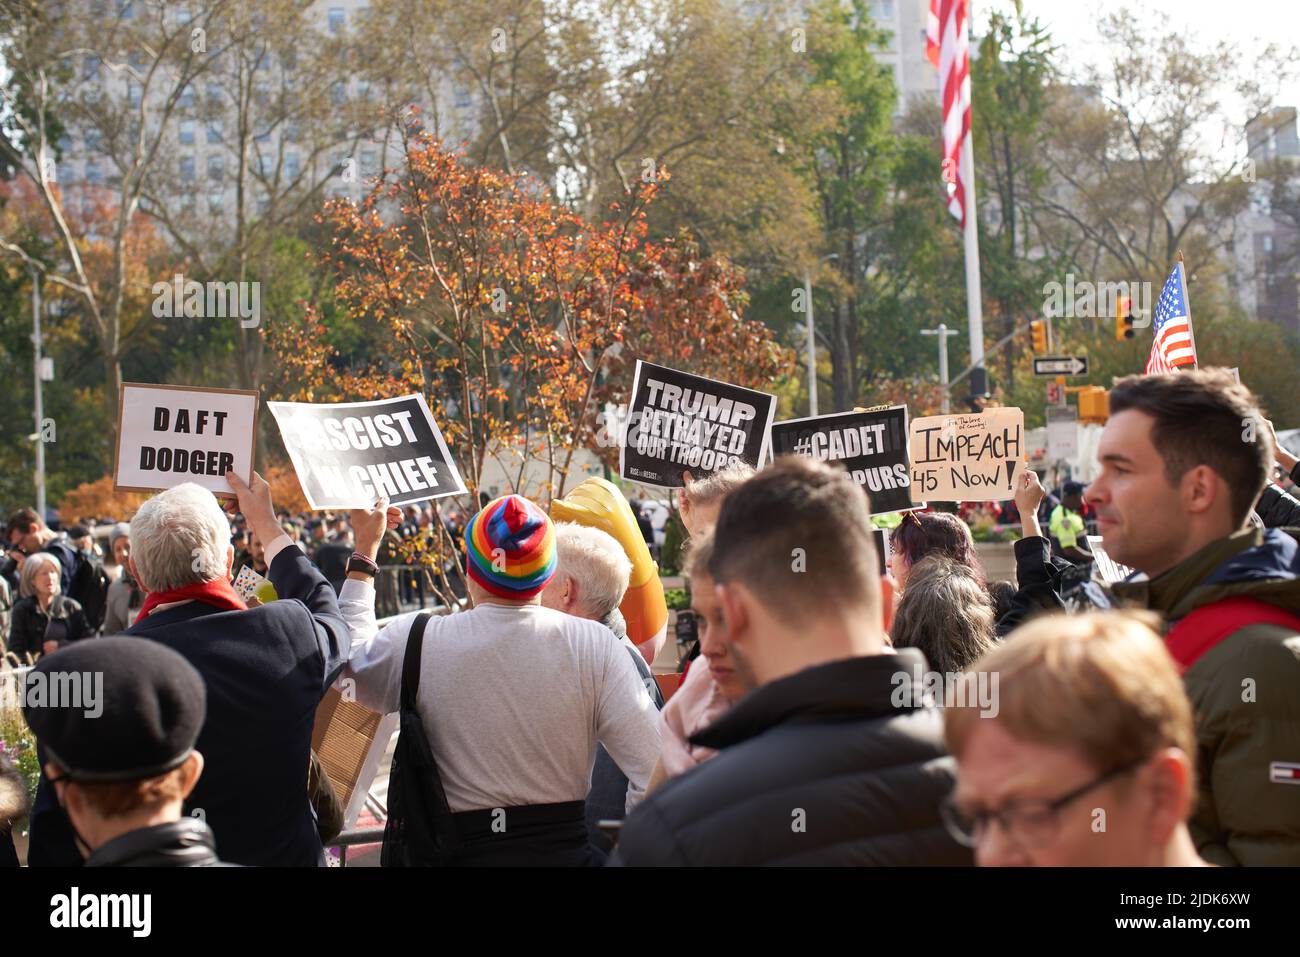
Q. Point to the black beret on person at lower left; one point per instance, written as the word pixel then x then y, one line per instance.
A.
pixel 115 709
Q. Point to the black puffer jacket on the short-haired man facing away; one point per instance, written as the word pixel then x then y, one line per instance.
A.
pixel 816 769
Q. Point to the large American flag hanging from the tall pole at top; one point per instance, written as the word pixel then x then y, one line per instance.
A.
pixel 948 49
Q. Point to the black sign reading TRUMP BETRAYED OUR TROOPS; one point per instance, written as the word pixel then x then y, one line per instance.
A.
pixel 683 423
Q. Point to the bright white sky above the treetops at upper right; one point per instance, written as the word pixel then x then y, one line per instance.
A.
pixel 1249 24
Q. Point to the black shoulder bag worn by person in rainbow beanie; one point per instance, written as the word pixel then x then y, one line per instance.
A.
pixel 419 832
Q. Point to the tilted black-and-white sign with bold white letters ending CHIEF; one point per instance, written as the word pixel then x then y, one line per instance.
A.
pixel 349 454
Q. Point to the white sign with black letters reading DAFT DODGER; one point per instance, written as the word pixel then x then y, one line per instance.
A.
pixel 170 435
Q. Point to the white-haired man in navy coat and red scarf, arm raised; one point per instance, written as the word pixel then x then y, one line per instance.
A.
pixel 266 670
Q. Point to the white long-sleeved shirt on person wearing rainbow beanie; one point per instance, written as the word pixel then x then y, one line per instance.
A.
pixel 514 699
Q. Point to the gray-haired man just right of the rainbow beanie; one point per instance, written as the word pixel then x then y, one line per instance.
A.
pixel 592 573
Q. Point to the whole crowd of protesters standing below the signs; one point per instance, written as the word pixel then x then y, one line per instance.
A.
pixel 838 711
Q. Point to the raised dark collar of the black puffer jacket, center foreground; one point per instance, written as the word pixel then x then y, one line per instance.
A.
pixel 848 690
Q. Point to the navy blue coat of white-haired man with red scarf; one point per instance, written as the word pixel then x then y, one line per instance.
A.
pixel 266 669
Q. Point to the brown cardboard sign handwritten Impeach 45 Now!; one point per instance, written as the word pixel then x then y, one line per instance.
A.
pixel 968 458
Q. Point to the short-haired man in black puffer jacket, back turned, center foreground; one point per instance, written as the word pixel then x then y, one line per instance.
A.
pixel 835 757
